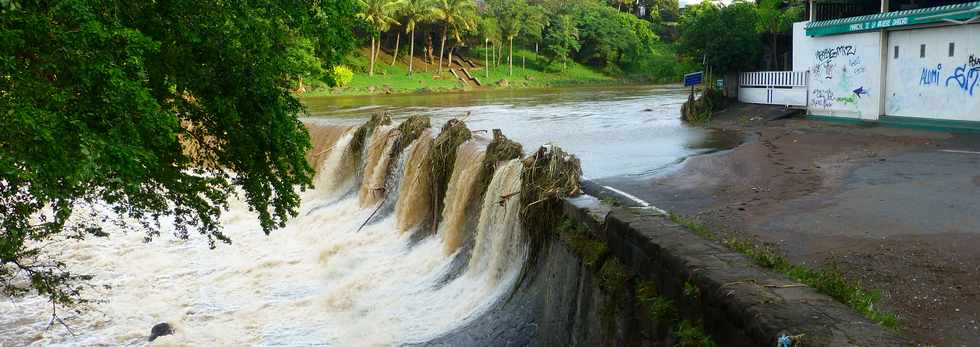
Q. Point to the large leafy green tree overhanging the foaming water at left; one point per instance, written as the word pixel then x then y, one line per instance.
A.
pixel 152 109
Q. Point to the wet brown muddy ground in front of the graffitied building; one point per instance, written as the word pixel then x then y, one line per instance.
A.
pixel 896 209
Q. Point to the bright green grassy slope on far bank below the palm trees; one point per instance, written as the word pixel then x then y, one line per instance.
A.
pixel 396 77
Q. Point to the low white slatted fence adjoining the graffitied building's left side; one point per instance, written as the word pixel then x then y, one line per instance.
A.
pixel 787 88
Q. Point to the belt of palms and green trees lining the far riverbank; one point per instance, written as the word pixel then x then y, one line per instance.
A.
pixel 652 39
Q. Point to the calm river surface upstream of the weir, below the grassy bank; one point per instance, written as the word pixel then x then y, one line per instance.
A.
pixel 615 130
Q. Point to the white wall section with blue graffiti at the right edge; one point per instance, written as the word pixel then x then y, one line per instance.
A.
pixel 937 86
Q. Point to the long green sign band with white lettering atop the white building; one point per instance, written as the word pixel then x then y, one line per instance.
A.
pixel 958 13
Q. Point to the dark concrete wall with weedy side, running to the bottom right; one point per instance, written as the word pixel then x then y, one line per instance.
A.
pixel 739 303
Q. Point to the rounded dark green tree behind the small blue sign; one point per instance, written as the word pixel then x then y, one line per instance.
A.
pixel 727 35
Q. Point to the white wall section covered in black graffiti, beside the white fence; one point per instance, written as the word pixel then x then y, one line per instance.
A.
pixel 845 72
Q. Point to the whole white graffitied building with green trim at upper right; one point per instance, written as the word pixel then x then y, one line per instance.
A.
pixel 919 64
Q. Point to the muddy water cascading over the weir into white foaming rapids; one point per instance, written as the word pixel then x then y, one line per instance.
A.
pixel 368 261
